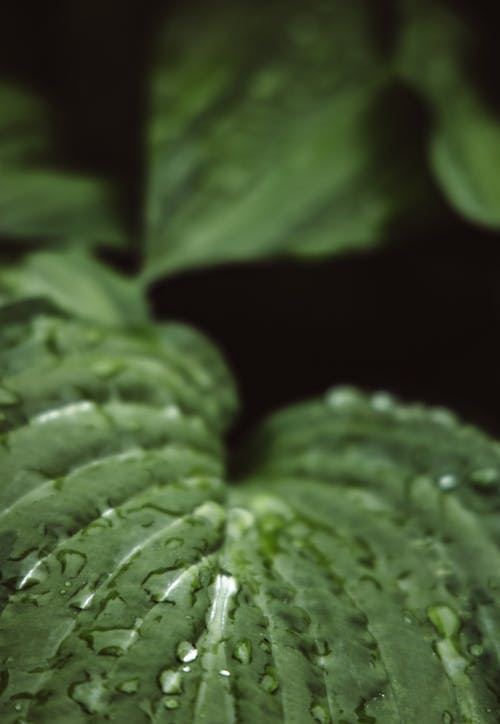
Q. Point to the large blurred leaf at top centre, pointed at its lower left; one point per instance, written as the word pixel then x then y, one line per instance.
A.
pixel 262 137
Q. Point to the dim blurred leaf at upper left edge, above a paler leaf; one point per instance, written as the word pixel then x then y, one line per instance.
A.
pixel 39 200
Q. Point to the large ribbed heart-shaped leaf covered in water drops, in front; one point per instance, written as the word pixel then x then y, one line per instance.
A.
pixel 350 577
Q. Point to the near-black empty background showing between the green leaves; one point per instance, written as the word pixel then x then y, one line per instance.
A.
pixel 419 316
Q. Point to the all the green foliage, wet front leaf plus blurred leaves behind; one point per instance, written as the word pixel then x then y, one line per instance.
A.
pixel 340 566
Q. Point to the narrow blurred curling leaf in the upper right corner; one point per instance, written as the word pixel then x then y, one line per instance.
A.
pixel 464 148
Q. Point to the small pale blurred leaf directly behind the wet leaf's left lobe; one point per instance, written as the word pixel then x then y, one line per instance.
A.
pixel 77 283
